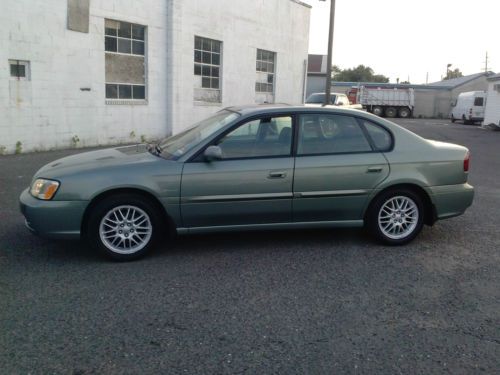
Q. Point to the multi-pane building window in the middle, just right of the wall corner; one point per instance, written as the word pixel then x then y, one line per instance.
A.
pixel 207 68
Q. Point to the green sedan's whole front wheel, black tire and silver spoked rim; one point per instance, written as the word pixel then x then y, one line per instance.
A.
pixel 124 226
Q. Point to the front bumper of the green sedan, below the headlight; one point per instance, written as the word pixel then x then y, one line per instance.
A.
pixel 52 219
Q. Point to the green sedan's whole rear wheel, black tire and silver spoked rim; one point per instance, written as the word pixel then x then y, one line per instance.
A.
pixel 392 225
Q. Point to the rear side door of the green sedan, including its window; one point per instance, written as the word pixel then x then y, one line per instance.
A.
pixel 337 166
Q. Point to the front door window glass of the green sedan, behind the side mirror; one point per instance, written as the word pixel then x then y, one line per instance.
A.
pixel 265 137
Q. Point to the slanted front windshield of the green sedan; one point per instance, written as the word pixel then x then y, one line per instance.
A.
pixel 174 147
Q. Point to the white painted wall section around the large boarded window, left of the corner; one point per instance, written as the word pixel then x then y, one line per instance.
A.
pixel 48 111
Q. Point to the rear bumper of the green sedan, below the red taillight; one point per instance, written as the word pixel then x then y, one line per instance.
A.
pixel 451 200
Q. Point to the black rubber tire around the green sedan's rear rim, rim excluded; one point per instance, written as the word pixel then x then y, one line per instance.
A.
pixel 372 217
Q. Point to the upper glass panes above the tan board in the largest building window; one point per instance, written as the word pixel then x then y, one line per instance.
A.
pixel 124 37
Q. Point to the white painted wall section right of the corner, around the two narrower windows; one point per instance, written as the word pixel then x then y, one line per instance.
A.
pixel 243 26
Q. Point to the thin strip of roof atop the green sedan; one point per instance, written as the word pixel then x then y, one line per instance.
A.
pixel 256 109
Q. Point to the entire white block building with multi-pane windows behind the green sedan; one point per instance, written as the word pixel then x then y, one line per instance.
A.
pixel 77 73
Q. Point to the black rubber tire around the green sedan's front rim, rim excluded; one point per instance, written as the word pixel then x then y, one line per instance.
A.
pixel 104 206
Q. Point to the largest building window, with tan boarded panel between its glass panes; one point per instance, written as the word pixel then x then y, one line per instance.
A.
pixel 125 50
